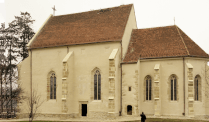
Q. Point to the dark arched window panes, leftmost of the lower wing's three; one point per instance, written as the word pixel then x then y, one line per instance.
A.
pixel 148 85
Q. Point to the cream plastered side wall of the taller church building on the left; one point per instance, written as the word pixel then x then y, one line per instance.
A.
pixel 85 59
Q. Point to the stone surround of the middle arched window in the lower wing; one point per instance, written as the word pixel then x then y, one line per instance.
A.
pixel 169 88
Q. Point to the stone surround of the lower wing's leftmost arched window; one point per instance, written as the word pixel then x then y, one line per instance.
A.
pixel 148 76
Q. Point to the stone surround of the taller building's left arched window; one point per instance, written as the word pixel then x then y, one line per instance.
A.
pixel 49 84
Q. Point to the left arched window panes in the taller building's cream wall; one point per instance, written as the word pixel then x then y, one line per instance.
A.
pixel 53 86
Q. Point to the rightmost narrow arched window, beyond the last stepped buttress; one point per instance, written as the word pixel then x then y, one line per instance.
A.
pixel 197 88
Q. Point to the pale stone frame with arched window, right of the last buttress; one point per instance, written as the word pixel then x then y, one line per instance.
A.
pixel 197 90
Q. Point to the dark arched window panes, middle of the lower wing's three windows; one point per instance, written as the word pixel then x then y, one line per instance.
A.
pixel 173 88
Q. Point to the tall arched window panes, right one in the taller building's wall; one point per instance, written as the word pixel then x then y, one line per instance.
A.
pixel 97 85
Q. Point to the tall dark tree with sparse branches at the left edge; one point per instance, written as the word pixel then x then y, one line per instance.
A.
pixel 13 41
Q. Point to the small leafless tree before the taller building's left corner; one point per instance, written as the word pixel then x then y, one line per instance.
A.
pixel 33 102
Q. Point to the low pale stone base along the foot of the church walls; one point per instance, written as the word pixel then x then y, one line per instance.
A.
pixel 102 116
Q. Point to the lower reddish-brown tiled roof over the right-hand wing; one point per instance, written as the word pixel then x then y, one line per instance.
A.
pixel 169 41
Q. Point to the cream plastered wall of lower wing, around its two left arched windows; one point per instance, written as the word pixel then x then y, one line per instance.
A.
pixel 167 67
